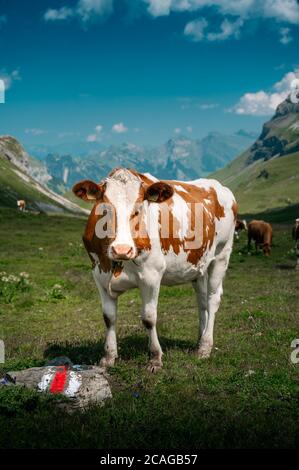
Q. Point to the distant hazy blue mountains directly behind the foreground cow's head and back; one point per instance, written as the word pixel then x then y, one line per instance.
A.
pixel 179 158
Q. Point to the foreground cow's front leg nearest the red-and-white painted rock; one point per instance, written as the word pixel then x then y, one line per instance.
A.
pixel 109 307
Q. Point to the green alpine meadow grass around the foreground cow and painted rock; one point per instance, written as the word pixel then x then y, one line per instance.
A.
pixel 245 395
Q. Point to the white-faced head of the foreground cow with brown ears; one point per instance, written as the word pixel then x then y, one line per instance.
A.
pixel 126 193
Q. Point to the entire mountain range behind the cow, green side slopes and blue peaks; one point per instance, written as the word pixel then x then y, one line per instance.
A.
pixel 263 177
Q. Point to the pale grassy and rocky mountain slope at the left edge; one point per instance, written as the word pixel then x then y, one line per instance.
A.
pixel 17 181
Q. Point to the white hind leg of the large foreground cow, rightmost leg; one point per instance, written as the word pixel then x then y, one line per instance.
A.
pixel 215 275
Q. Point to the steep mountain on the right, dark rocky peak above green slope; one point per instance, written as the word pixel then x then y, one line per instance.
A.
pixel 266 176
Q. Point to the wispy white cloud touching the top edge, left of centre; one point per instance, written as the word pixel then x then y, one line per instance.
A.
pixel 84 10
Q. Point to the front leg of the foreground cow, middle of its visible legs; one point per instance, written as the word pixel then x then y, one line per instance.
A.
pixel 150 295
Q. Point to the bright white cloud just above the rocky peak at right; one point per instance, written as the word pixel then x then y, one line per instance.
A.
pixel 264 103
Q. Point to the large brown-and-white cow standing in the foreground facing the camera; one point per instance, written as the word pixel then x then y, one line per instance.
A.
pixel 163 232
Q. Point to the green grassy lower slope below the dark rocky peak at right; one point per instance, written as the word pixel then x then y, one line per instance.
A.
pixel 263 185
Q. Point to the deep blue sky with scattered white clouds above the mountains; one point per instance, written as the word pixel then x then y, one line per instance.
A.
pixel 143 70
